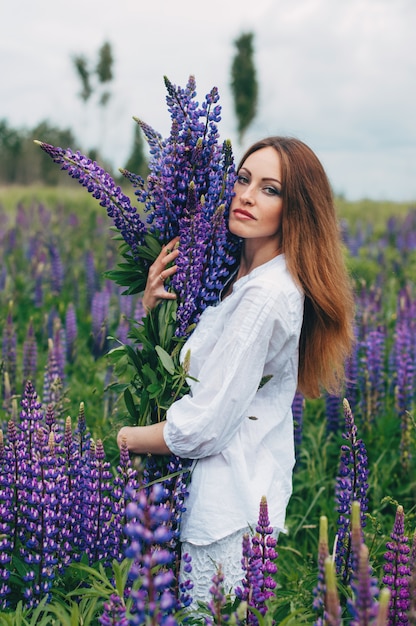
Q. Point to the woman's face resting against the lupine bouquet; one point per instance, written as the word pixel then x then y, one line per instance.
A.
pixel 256 208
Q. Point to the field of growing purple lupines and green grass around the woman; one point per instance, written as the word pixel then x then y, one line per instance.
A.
pixel 78 533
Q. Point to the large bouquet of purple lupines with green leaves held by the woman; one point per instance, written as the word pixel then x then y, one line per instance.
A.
pixel 186 194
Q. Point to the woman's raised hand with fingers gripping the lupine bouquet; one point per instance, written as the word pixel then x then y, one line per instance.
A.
pixel 158 272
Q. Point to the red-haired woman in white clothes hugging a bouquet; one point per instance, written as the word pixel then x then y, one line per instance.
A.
pixel 287 313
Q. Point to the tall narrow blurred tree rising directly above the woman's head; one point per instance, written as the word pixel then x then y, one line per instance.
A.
pixel 244 83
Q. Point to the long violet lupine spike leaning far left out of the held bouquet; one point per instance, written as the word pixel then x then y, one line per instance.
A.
pixel 101 185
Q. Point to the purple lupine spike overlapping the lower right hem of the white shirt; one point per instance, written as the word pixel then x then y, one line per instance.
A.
pixel 258 563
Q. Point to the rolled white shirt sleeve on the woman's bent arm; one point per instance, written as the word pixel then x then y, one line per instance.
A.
pixel 202 423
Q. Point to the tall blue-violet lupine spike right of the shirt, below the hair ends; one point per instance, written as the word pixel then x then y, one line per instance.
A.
pixel 351 485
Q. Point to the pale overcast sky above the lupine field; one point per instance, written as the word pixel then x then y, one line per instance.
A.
pixel 338 74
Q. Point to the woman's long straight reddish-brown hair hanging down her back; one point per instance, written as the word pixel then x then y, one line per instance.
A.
pixel 313 250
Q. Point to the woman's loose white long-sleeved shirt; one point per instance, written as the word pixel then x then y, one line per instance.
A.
pixel 241 436
